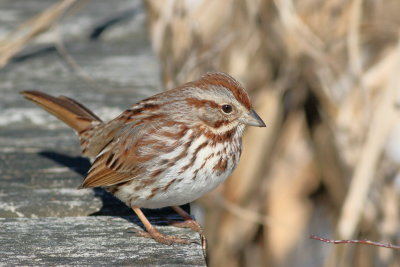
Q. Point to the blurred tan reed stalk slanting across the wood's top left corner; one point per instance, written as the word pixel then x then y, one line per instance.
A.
pixel 16 41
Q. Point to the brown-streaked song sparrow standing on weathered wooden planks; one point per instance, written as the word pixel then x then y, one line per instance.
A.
pixel 166 150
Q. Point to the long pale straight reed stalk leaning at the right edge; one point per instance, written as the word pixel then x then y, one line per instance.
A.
pixel 365 172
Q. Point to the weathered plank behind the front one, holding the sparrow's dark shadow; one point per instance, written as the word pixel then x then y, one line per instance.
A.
pixel 32 185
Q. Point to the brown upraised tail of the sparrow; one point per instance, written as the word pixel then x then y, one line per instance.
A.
pixel 66 109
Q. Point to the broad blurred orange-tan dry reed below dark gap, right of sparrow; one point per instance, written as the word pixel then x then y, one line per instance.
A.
pixel 293 176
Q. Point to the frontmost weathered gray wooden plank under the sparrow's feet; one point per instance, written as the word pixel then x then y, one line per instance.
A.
pixel 90 241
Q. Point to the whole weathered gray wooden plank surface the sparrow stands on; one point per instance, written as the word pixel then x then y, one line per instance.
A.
pixel 44 219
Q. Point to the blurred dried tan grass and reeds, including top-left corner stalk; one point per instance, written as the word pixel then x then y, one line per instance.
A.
pixel 325 77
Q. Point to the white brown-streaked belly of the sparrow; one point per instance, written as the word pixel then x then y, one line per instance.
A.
pixel 180 184
